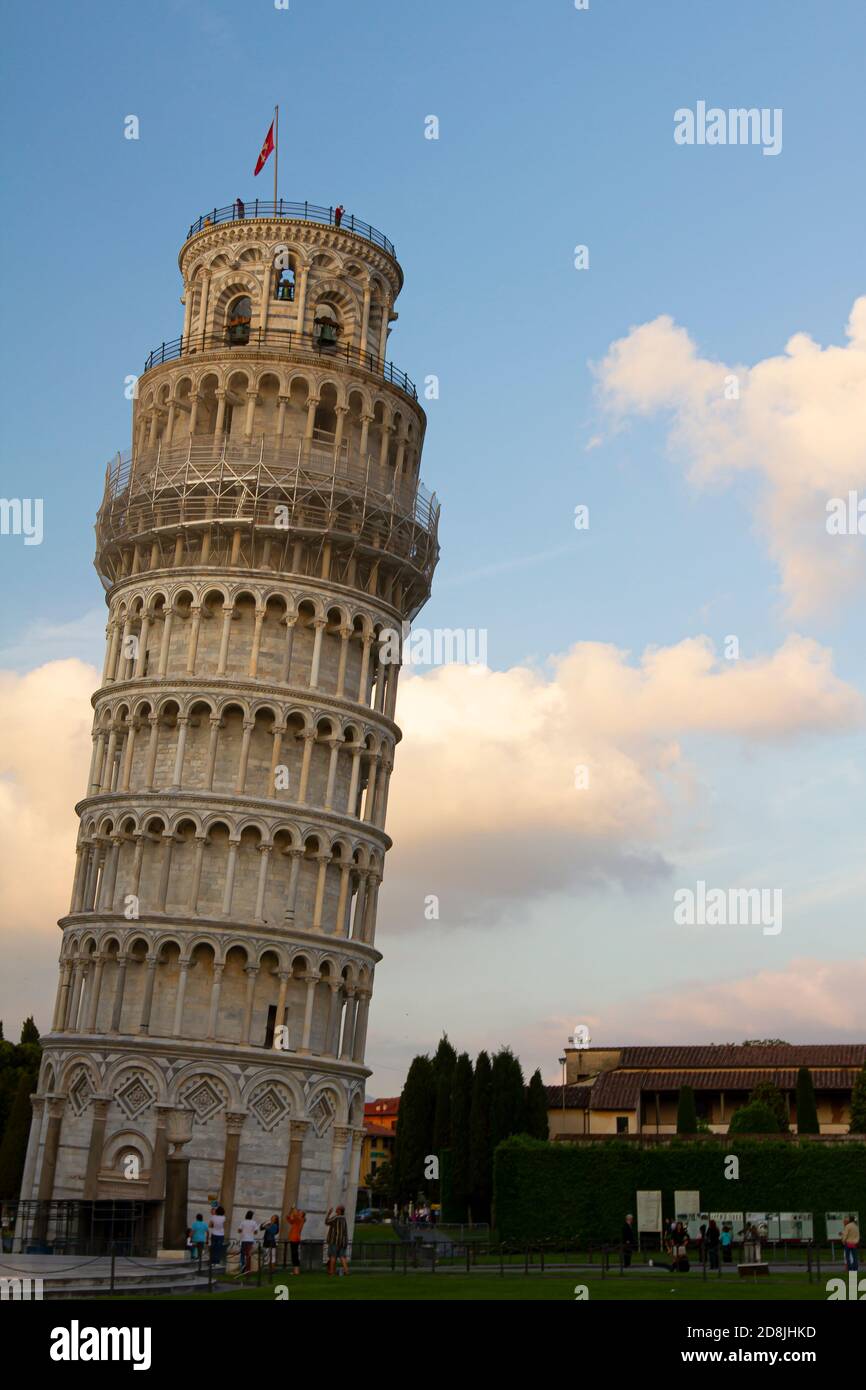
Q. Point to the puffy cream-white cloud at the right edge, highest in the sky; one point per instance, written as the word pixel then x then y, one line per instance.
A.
pixel 799 425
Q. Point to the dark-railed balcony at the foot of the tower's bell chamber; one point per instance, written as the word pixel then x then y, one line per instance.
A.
pixel 279 343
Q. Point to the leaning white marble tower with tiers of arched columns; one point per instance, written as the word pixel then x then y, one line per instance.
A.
pixel 261 546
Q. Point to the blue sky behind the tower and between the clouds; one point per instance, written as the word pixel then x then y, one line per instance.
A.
pixel 555 130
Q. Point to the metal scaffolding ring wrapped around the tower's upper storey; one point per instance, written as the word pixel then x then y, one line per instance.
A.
pixel 241 486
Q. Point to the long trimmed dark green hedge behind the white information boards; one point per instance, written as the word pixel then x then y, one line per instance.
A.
pixel 575 1191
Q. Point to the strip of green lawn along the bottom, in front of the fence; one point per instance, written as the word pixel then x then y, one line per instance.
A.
pixel 522 1288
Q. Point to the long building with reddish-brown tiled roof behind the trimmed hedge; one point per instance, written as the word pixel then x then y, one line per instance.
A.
pixel 636 1090
